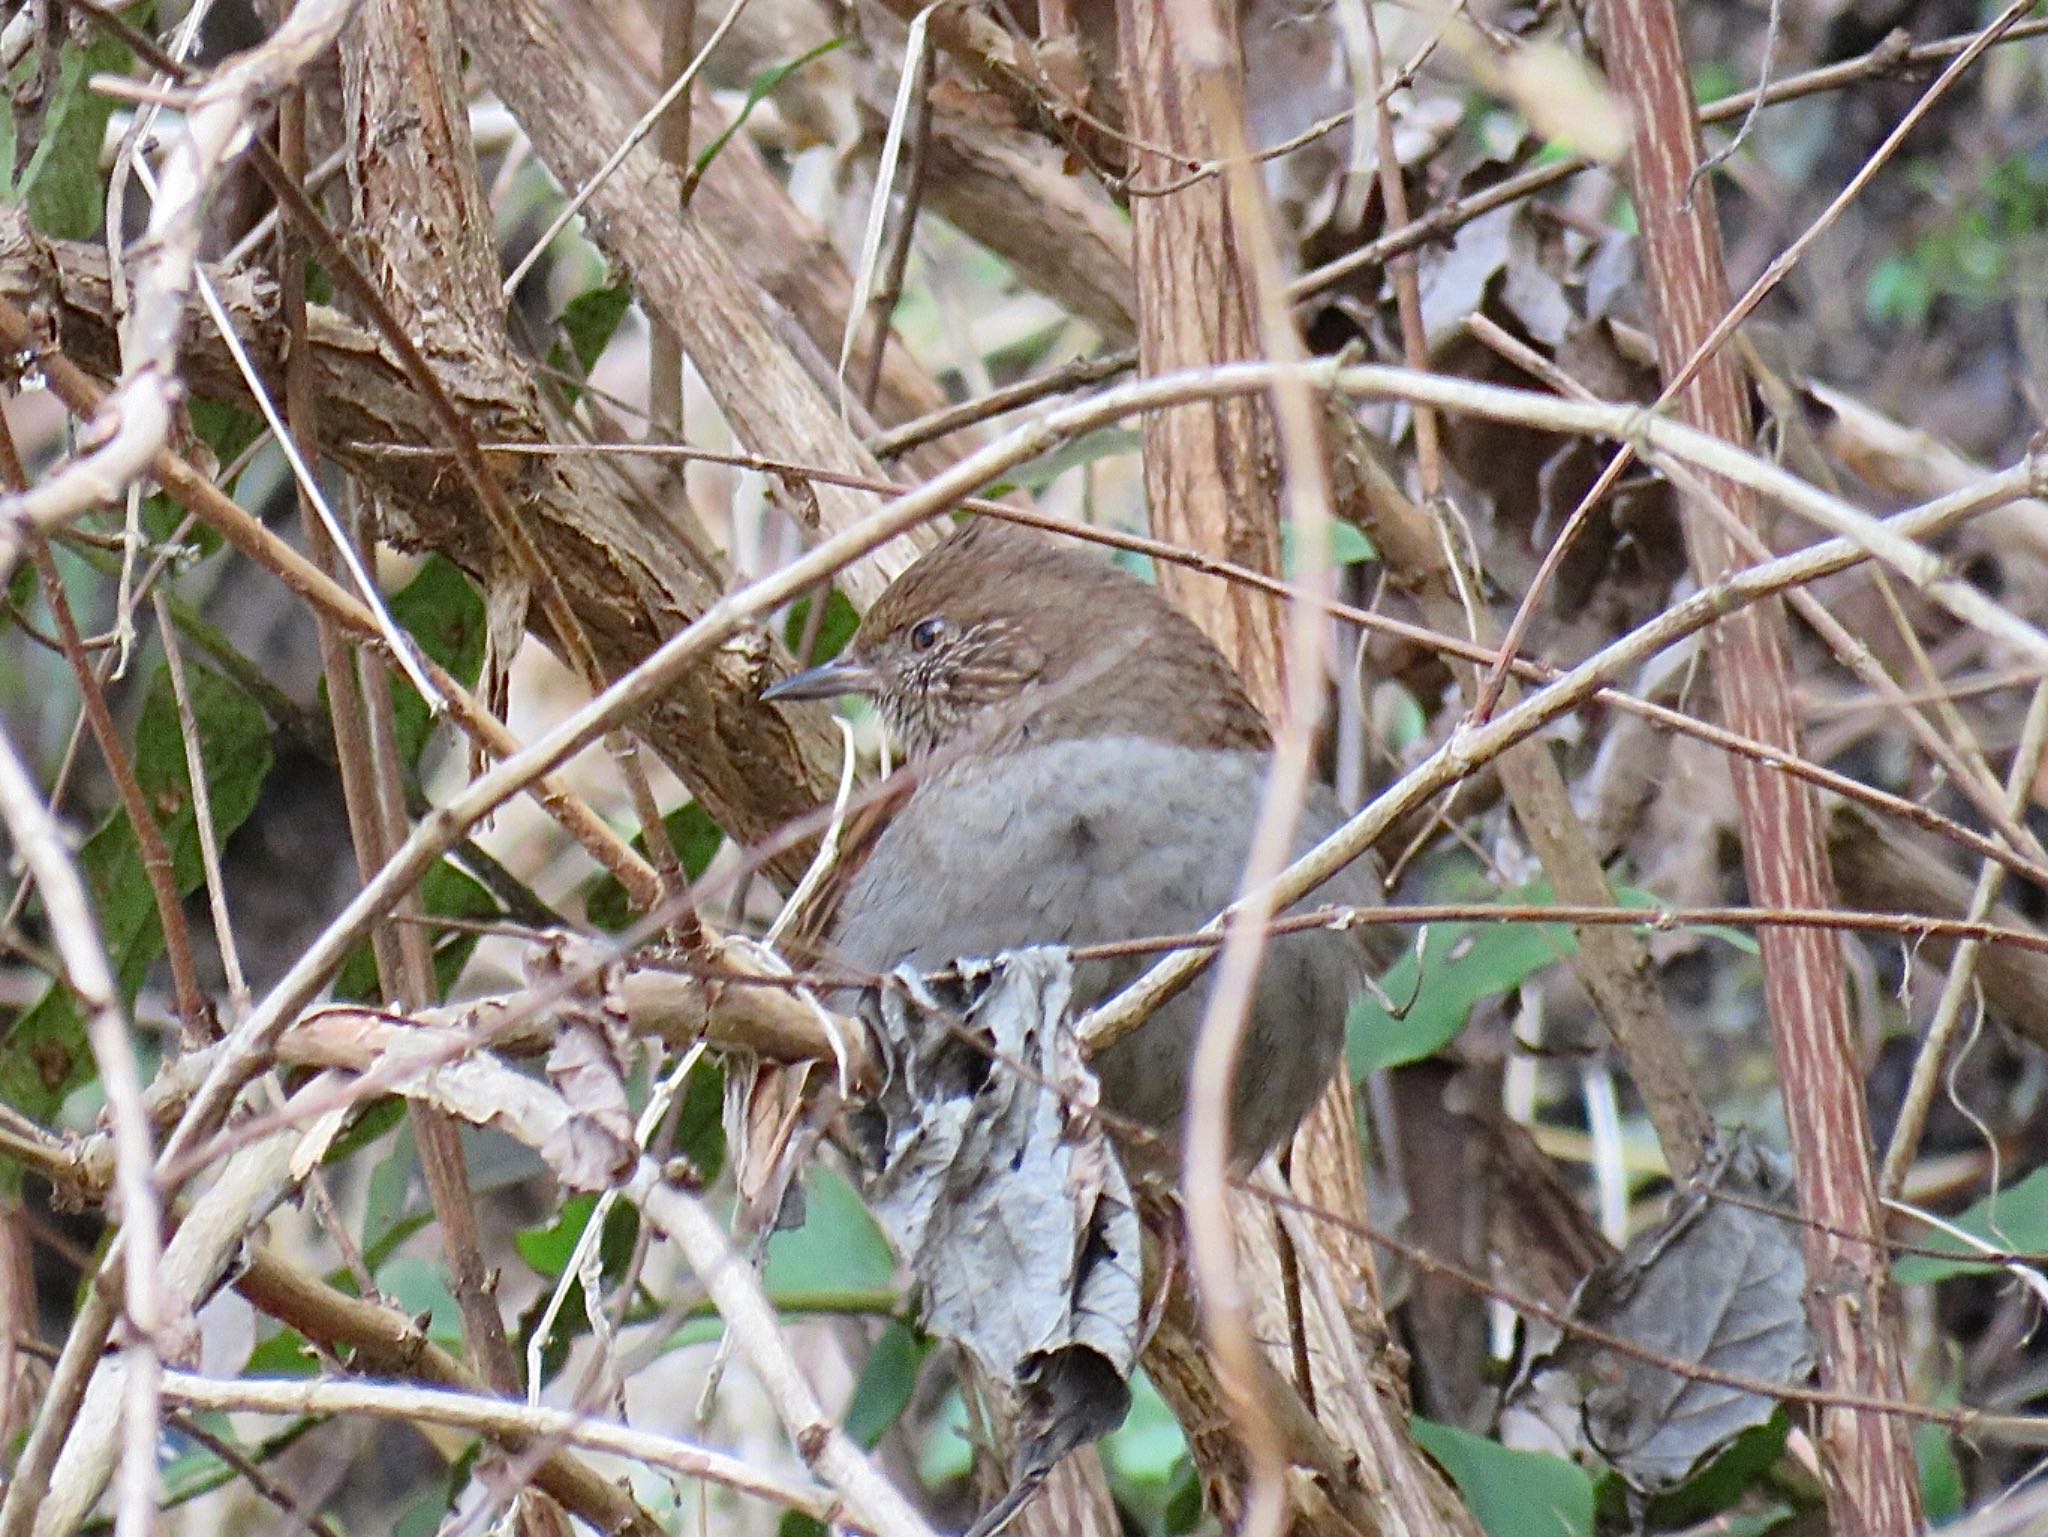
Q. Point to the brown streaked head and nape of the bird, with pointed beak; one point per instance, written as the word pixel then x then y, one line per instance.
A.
pixel 1009 634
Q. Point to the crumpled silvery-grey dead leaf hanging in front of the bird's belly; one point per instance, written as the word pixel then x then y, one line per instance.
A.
pixel 1002 1192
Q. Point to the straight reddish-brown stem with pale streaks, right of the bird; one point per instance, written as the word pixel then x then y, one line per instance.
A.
pixel 1867 1460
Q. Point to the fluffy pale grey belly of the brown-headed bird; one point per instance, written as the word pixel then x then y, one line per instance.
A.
pixel 1111 839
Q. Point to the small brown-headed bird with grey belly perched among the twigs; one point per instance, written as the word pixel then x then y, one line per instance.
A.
pixel 1093 776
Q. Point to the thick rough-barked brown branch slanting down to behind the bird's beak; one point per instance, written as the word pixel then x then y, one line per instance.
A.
pixel 630 583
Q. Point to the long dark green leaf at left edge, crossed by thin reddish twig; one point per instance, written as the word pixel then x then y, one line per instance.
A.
pixel 44 1056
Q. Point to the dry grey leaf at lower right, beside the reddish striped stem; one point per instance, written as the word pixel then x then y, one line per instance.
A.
pixel 1717 1286
